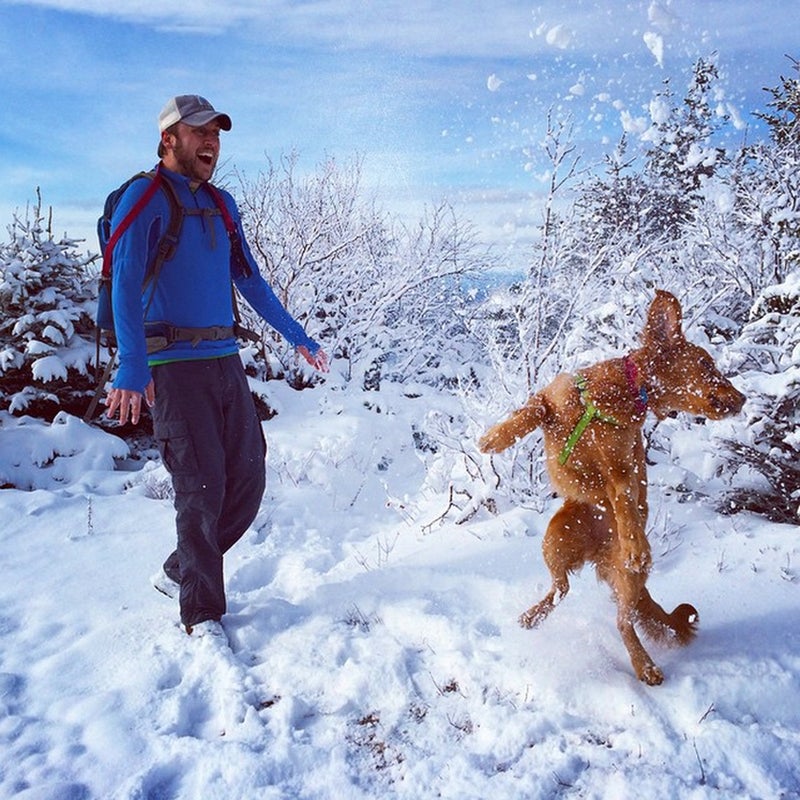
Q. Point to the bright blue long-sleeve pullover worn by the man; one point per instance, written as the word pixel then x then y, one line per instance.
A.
pixel 193 289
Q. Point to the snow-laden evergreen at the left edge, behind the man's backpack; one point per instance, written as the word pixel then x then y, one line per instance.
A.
pixel 46 326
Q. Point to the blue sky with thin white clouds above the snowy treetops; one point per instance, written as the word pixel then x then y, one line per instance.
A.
pixel 443 99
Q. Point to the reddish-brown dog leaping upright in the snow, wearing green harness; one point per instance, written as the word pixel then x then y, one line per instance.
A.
pixel 592 426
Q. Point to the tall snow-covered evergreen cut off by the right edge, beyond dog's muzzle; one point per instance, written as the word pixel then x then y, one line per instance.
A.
pixel 764 465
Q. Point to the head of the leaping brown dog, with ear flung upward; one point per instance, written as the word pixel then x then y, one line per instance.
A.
pixel 682 376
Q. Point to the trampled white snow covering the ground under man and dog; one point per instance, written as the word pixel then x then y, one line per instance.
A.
pixel 374 651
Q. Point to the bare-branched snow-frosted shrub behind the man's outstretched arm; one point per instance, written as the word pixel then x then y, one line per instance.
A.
pixel 381 297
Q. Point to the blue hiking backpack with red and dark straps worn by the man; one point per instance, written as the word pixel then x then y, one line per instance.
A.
pixel 165 250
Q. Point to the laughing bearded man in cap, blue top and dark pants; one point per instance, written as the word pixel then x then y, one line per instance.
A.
pixel 204 417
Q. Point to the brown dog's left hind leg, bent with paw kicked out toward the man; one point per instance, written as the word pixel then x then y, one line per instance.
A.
pixel 566 547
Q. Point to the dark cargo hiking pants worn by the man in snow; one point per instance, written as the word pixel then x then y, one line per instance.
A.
pixel 212 444
